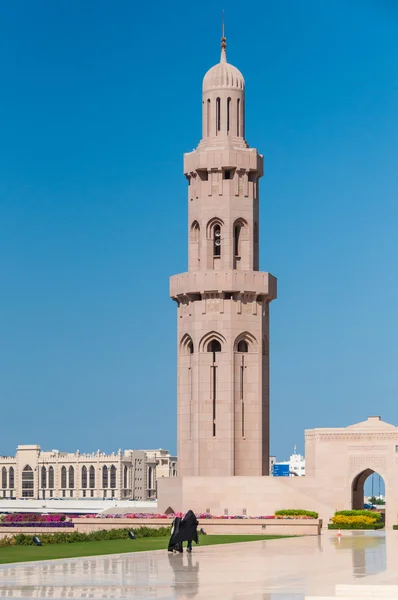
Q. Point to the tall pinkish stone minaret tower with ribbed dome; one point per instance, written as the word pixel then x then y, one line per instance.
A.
pixel 223 299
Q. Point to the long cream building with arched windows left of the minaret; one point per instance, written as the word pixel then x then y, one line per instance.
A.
pixel 34 474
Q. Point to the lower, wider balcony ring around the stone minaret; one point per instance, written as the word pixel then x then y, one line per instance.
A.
pixel 200 282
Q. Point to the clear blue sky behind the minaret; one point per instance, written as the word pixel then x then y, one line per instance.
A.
pixel 99 101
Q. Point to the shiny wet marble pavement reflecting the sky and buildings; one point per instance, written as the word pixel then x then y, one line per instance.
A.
pixel 286 569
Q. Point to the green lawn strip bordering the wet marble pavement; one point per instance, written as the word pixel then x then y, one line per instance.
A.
pixel 27 553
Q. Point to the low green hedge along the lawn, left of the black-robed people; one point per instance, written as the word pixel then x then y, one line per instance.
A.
pixel 23 539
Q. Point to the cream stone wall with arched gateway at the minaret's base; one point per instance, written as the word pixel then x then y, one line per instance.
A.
pixel 338 461
